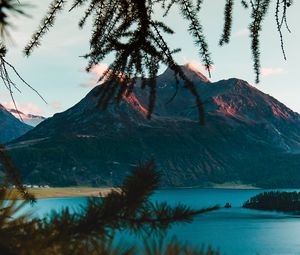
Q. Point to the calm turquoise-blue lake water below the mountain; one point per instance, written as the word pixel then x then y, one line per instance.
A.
pixel 233 231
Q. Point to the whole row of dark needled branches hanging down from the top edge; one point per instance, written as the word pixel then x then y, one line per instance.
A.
pixel 129 30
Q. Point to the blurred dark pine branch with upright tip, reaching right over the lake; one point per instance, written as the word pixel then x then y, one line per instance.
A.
pixel 129 208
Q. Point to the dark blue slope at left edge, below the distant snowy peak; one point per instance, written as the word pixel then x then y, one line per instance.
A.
pixel 10 126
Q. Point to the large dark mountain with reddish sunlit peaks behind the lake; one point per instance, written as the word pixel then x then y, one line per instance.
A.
pixel 249 137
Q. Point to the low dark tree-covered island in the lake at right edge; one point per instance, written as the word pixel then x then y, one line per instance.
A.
pixel 275 201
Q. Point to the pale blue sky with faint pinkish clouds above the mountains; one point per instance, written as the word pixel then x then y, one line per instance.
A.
pixel 57 71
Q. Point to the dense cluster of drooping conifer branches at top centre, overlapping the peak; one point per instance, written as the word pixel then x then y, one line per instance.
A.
pixel 128 30
